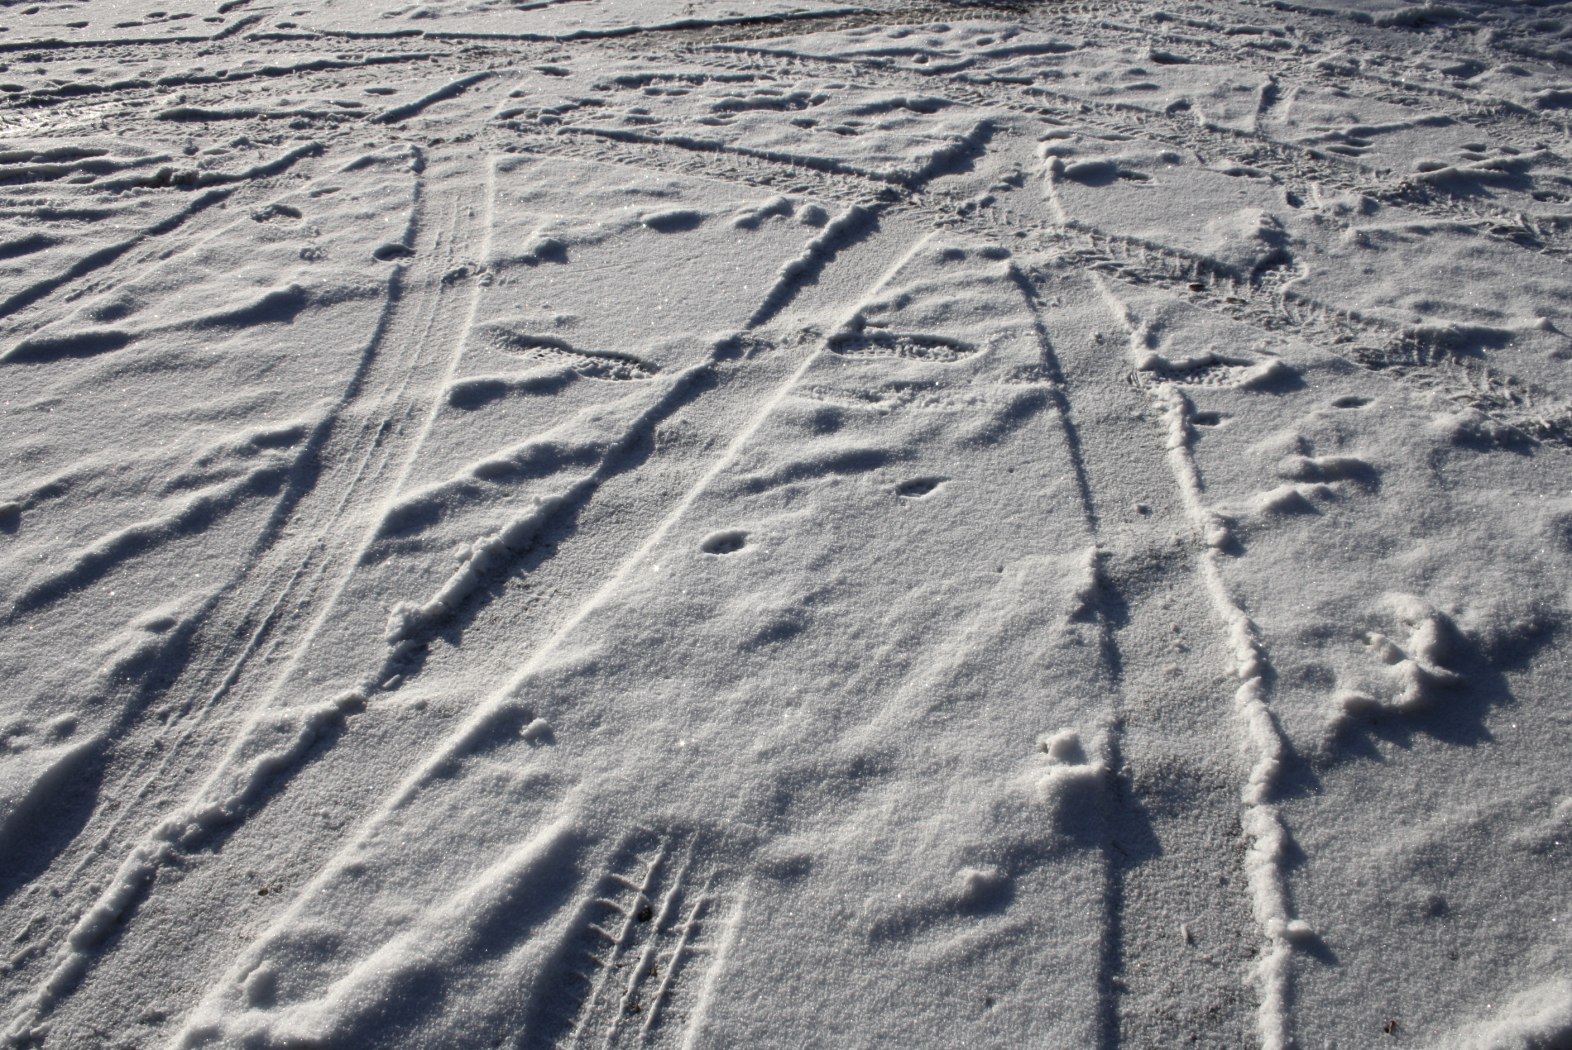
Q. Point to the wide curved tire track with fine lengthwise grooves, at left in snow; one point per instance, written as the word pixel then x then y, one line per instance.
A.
pixel 259 623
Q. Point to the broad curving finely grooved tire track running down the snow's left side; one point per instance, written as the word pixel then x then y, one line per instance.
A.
pixel 284 581
